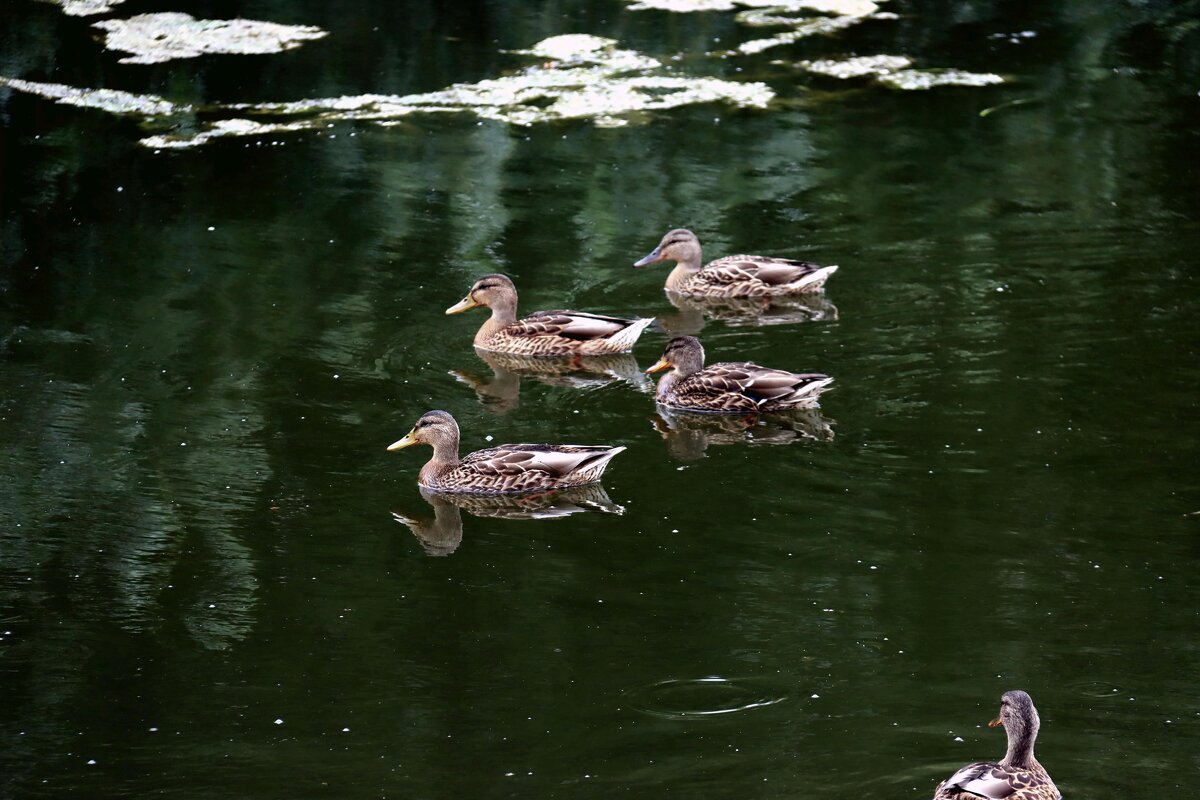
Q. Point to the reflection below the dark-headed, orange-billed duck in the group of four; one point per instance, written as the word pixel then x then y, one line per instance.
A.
pixel 688 436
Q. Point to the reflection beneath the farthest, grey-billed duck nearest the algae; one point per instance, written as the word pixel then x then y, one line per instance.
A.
pixel 746 312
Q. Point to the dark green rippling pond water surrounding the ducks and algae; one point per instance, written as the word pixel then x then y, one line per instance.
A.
pixel 203 354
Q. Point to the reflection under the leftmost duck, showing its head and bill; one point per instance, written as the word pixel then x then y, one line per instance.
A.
pixel 442 536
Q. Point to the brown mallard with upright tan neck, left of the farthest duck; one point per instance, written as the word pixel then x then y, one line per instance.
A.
pixel 545 333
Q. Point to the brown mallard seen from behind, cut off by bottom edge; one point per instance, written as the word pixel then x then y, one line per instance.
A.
pixel 1018 777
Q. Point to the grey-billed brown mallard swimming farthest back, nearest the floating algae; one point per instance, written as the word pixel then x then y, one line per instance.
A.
pixel 734 276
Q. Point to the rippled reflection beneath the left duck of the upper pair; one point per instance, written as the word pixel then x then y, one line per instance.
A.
pixel 502 393
